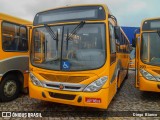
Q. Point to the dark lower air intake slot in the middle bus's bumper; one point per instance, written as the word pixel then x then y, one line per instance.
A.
pixel 62 96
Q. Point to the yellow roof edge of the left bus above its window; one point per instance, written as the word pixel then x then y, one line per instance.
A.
pixel 14 19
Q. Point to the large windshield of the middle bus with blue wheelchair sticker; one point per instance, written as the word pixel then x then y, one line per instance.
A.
pixel 84 50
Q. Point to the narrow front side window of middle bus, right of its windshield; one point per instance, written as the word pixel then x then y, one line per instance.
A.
pixel 112 39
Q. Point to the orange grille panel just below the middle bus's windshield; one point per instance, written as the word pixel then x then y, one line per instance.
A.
pixel 63 78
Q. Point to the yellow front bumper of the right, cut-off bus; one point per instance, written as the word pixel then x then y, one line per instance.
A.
pixel 146 85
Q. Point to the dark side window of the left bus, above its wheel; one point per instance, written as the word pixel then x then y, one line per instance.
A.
pixel 14 37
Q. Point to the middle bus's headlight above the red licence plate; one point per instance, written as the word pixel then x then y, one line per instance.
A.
pixel 96 85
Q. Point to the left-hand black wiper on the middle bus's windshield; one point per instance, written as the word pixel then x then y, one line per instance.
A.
pixel 53 35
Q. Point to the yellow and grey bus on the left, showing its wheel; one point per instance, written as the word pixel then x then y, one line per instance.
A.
pixel 14 59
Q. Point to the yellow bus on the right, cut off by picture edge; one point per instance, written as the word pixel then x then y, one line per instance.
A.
pixel 148 56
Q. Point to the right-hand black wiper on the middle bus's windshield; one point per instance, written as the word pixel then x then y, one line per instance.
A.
pixel 74 32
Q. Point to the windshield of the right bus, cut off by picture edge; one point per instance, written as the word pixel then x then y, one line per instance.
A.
pixel 150 48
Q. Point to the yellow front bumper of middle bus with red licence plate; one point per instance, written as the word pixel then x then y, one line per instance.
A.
pixel 71 98
